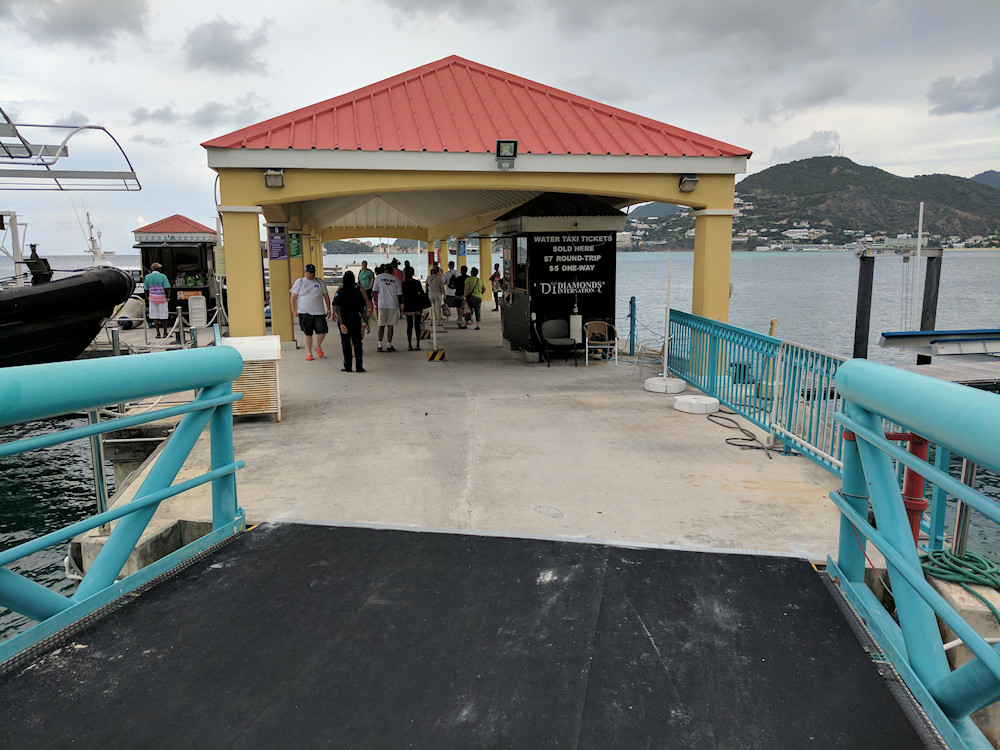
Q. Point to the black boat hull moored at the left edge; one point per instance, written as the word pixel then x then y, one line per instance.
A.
pixel 56 321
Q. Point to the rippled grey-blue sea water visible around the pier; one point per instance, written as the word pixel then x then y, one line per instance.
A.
pixel 811 295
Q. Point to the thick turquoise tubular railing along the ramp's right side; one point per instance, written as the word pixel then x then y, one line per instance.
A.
pixel 959 420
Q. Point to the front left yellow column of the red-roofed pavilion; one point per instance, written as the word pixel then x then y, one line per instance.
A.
pixel 244 273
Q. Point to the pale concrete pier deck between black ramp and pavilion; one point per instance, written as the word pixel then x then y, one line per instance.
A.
pixel 486 442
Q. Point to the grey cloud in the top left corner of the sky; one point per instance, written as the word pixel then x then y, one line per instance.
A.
pixel 83 23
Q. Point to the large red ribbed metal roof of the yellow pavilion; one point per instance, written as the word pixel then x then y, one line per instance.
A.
pixel 456 105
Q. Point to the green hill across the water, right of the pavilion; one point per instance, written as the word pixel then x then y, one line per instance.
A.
pixel 834 193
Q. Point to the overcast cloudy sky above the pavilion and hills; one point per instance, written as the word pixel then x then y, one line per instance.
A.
pixel 909 86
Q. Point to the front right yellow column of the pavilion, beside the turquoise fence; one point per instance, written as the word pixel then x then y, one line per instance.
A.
pixel 713 245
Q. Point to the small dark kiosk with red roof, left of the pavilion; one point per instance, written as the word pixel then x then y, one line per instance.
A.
pixel 185 250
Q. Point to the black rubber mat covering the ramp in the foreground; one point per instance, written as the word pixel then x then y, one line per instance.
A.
pixel 311 636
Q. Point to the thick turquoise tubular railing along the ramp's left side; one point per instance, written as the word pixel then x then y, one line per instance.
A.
pixel 44 391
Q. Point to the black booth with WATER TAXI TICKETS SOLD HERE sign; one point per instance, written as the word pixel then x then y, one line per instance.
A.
pixel 559 256
